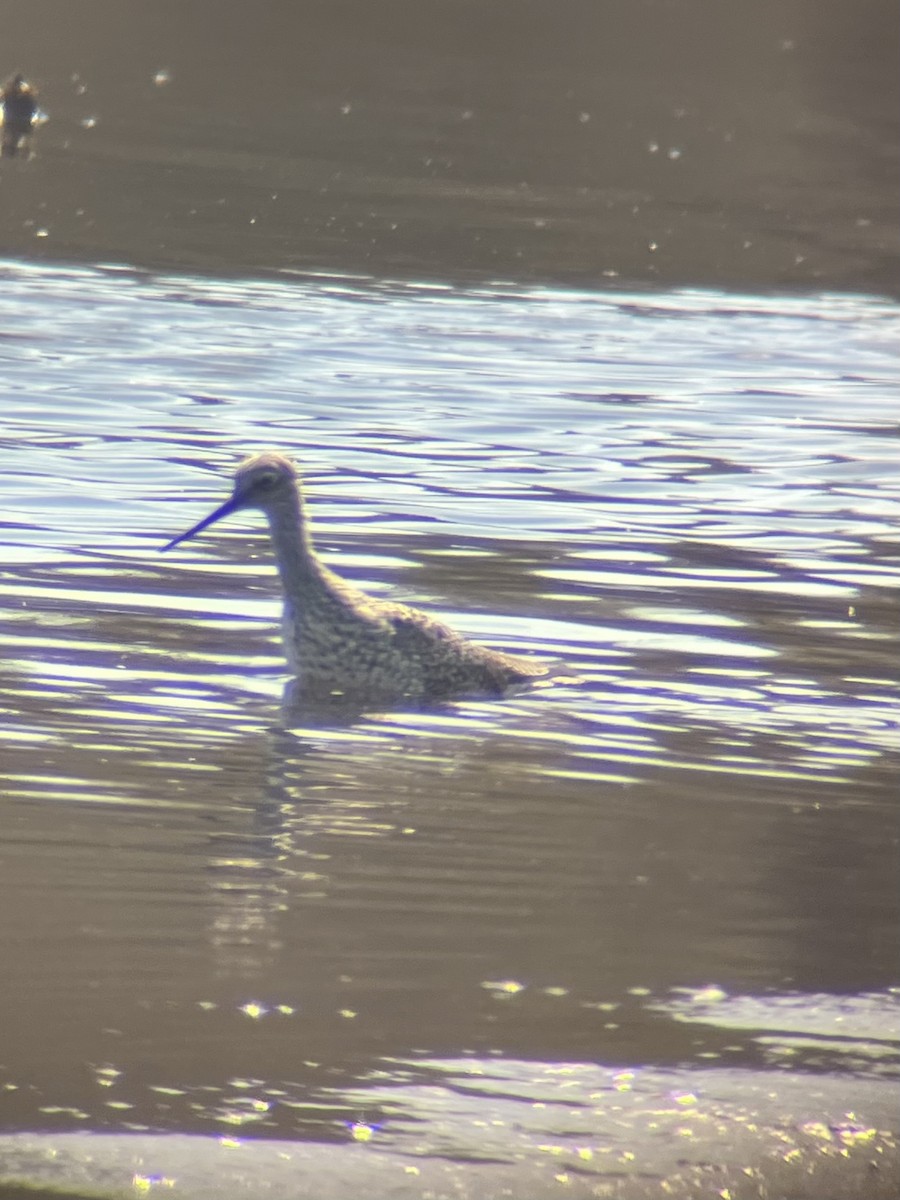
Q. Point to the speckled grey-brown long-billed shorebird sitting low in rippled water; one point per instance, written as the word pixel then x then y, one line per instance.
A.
pixel 341 643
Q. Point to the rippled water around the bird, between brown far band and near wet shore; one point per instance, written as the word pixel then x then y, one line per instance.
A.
pixel 221 914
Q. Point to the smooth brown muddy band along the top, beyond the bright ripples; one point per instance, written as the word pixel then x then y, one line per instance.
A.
pixel 743 146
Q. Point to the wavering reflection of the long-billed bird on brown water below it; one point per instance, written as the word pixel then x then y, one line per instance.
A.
pixel 315 781
